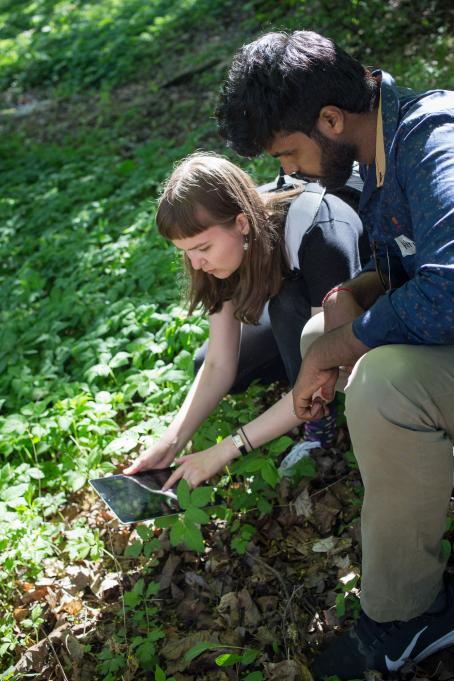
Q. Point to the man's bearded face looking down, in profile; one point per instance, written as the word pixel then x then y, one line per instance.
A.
pixel 316 157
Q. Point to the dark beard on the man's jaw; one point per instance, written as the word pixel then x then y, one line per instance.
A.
pixel 336 161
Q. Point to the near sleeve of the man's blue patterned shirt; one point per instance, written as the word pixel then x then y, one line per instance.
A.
pixel 421 311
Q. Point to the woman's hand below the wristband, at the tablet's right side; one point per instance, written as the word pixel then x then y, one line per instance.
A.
pixel 199 467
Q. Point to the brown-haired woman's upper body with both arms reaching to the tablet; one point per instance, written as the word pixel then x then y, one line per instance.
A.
pixel 239 250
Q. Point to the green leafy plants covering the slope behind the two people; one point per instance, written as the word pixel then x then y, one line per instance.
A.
pixel 98 100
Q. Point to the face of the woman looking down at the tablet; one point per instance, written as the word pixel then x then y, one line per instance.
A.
pixel 218 250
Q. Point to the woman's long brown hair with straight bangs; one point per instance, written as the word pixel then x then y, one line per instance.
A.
pixel 222 190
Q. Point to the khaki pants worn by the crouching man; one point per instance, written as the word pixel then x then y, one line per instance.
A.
pixel 400 414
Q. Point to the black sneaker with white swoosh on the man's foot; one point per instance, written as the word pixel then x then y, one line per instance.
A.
pixel 385 647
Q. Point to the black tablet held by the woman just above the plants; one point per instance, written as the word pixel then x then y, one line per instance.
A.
pixel 133 498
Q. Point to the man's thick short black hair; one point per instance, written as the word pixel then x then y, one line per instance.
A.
pixel 281 81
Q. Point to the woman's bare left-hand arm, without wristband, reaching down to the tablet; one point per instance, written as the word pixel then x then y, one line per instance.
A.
pixel 212 382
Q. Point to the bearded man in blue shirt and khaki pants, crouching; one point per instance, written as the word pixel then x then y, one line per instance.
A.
pixel 308 103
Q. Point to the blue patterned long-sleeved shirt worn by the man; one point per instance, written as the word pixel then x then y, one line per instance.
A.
pixel 411 220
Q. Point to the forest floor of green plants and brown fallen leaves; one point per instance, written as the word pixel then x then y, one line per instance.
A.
pixel 97 355
